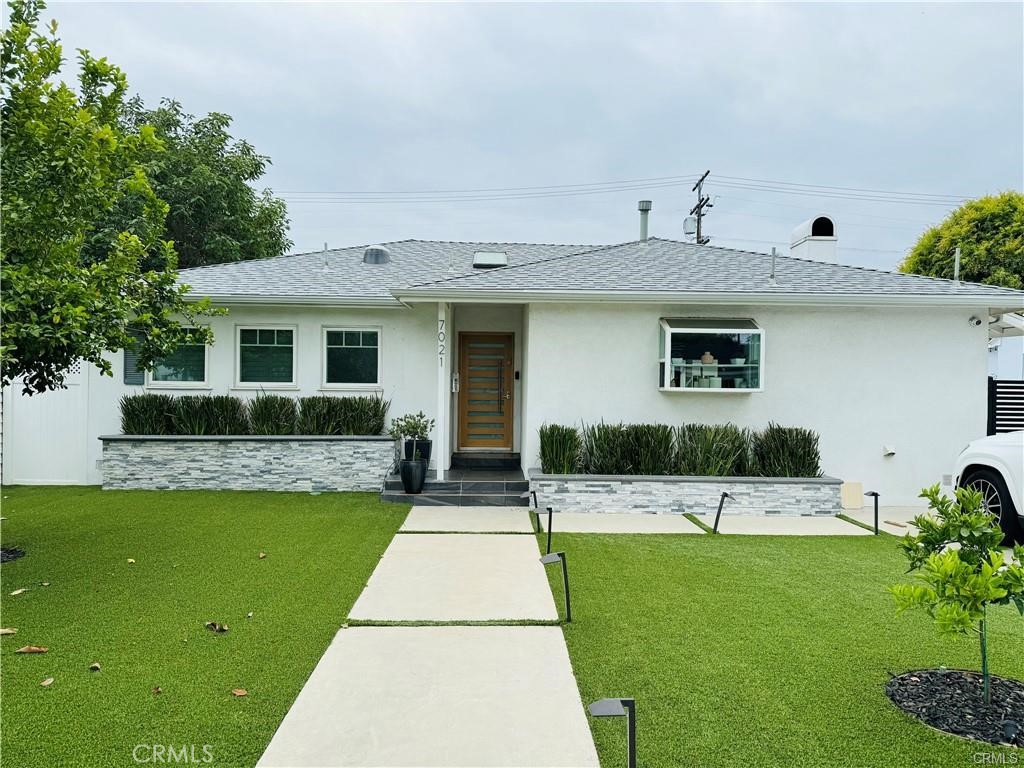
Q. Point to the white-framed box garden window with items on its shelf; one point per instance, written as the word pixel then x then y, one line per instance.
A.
pixel 711 355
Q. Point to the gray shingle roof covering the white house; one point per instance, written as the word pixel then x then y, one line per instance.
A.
pixel 662 267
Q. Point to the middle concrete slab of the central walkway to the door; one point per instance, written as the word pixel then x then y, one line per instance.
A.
pixel 458 578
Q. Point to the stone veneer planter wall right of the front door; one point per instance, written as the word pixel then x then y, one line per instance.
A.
pixel 678 495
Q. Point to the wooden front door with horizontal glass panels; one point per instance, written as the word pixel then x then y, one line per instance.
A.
pixel 487 373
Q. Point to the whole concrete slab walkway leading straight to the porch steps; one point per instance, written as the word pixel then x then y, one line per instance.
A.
pixel 445 696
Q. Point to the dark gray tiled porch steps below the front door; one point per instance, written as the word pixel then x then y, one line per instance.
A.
pixel 463 488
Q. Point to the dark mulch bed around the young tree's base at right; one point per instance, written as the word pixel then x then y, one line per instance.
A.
pixel 953 701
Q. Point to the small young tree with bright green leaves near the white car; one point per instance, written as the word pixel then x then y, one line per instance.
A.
pixel 960 568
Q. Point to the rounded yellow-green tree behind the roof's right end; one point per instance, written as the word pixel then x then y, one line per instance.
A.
pixel 990 233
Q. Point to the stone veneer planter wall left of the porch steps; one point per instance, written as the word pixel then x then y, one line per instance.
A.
pixel 305 463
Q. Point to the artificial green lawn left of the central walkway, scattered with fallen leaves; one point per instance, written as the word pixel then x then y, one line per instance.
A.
pixel 197 560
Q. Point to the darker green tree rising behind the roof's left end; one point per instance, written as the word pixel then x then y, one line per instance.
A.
pixel 205 177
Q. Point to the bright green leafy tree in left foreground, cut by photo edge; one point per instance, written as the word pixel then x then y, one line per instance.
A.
pixel 67 163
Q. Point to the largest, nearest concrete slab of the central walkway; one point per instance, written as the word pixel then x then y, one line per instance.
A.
pixel 439 697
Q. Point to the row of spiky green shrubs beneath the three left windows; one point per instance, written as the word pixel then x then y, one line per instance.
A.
pixel 266 415
